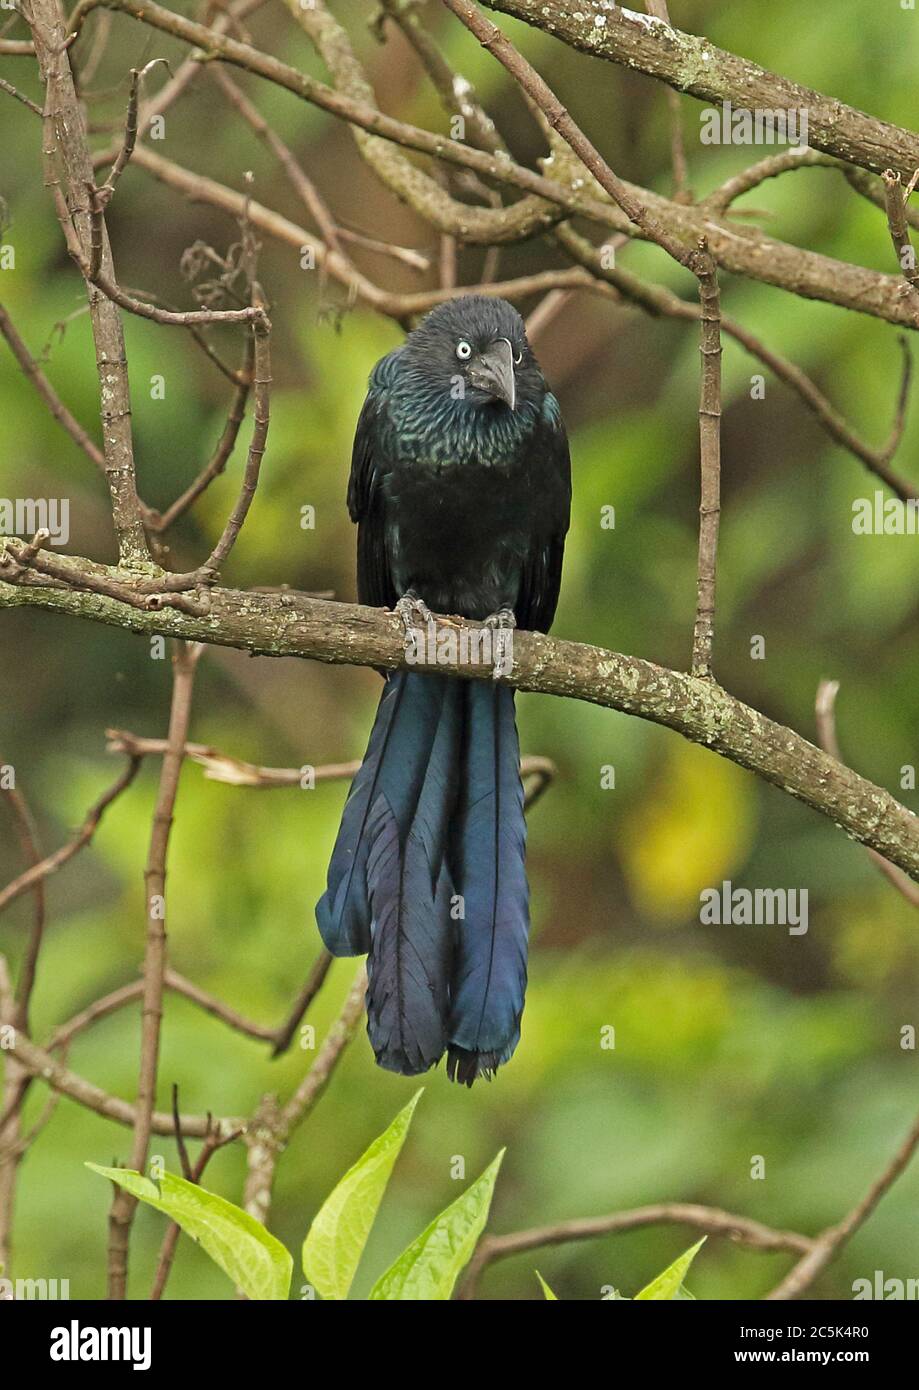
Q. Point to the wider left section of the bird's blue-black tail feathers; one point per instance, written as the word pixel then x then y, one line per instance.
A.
pixel 389 885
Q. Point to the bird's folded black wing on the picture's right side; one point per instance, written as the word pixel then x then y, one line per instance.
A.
pixel 553 507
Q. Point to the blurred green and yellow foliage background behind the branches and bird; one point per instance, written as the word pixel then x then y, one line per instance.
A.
pixel 731 1042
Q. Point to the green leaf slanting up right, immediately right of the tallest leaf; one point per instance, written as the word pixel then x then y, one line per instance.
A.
pixel 429 1268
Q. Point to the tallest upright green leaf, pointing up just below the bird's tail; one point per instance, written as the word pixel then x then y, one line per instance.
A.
pixel 339 1235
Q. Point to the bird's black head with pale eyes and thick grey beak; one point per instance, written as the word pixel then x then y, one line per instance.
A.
pixel 475 350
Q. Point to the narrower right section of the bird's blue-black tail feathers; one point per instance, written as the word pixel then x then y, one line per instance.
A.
pixel 489 864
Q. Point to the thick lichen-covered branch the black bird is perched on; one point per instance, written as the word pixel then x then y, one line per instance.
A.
pixel 291 625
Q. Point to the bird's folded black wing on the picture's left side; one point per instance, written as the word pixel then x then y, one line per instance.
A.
pixel 365 498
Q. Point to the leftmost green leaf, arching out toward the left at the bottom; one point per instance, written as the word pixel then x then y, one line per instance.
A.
pixel 237 1242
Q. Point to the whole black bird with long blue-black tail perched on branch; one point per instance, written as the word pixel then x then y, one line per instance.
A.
pixel 461 489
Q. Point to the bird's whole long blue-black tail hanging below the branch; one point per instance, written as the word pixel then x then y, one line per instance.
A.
pixel 429 879
